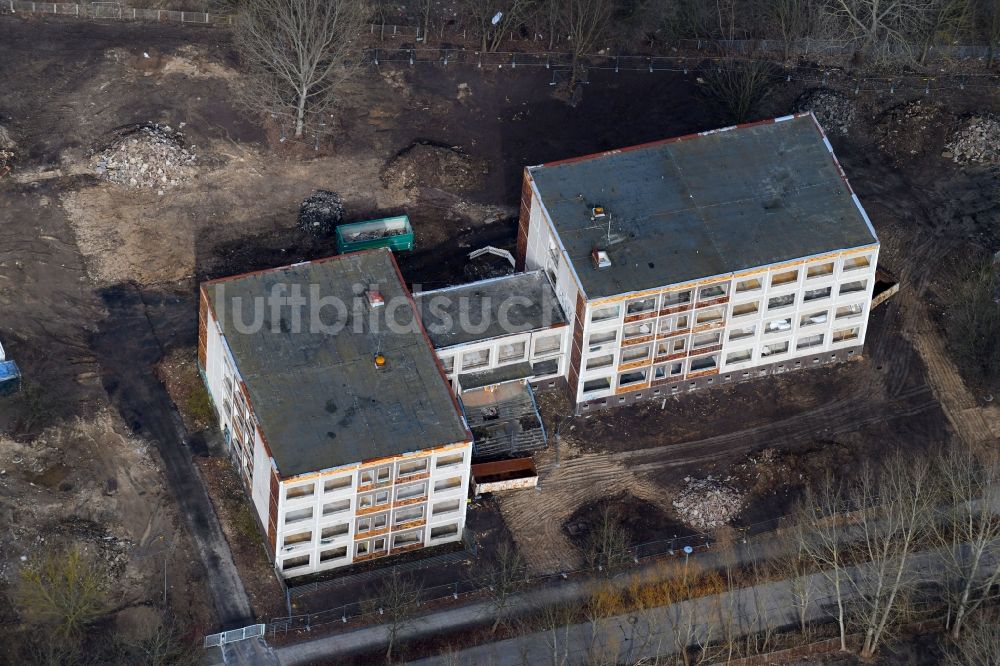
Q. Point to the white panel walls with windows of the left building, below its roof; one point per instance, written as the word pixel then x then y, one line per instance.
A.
pixel 336 517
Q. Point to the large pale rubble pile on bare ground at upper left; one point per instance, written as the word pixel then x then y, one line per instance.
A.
pixel 150 156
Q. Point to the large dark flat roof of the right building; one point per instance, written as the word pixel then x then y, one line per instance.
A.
pixel 703 205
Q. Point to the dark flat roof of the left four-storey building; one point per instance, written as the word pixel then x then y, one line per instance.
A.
pixel 319 399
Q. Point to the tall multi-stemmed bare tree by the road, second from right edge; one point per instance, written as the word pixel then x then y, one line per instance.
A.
pixel 893 504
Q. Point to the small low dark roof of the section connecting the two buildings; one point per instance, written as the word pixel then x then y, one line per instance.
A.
pixel 492 308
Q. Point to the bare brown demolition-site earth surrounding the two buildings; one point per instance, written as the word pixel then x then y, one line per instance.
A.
pixel 98 296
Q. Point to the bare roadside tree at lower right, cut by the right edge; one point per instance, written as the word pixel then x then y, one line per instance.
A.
pixel 969 533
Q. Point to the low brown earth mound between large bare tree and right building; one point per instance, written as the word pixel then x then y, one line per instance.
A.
pixel 430 165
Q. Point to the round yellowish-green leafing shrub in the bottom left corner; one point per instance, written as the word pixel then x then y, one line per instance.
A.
pixel 65 590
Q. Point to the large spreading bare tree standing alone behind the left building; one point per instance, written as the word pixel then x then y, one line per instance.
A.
pixel 298 52
